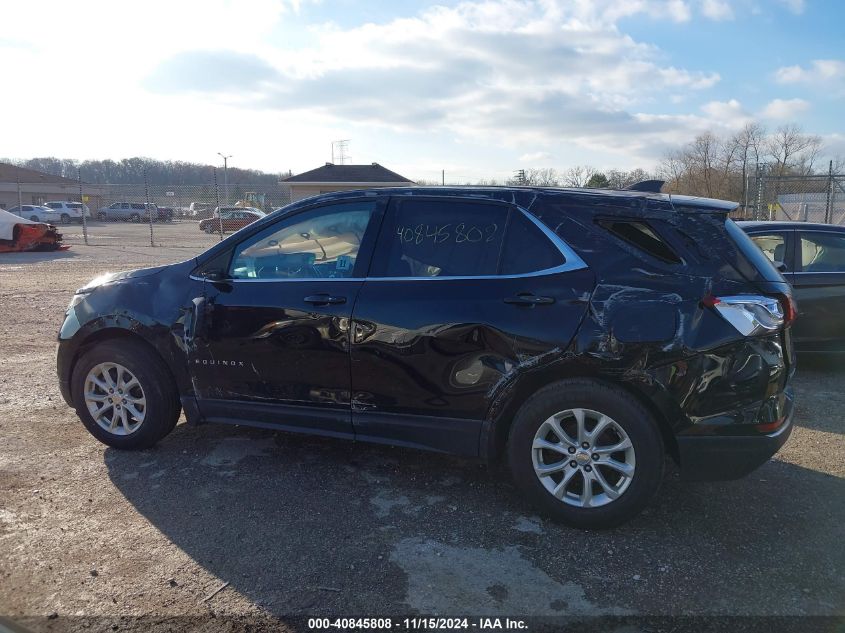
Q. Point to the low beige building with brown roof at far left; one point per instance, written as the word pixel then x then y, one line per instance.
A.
pixel 27 186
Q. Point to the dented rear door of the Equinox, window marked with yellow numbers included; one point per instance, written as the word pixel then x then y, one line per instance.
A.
pixel 463 294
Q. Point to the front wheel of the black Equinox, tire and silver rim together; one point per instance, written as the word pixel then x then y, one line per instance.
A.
pixel 124 396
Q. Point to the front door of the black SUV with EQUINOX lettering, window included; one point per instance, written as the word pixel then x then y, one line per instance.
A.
pixel 275 346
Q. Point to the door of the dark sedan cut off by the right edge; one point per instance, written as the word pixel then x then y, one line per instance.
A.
pixel 819 284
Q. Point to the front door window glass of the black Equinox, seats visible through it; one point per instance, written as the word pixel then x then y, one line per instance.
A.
pixel 322 243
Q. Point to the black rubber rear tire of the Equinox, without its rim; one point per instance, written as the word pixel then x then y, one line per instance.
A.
pixel 626 411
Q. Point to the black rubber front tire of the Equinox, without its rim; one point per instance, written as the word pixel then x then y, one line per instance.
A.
pixel 163 406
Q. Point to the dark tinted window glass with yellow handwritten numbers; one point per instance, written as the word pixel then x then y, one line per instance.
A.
pixel 441 238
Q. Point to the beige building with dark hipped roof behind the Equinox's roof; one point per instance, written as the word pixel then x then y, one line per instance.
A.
pixel 331 177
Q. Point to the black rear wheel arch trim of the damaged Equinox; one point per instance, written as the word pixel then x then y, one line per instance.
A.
pixel 497 427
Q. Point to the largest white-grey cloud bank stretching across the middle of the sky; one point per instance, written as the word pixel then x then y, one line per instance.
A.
pixel 564 71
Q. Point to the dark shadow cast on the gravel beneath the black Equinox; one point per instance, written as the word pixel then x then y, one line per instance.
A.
pixel 303 525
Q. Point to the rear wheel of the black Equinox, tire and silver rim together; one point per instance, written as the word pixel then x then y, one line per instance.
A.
pixel 586 452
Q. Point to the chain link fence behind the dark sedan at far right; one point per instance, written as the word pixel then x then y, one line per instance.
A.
pixel 817 198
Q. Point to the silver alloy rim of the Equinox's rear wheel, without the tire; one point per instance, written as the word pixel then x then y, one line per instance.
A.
pixel 583 458
